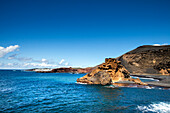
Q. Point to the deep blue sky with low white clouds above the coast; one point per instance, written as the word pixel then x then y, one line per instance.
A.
pixel 78 33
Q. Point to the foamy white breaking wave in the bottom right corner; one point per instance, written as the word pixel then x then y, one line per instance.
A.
pixel 158 108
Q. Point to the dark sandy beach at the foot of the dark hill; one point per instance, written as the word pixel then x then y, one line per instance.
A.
pixel 164 80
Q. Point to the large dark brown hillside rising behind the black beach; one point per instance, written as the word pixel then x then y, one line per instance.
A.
pixel 147 60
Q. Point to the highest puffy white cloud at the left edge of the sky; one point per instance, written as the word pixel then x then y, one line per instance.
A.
pixel 4 51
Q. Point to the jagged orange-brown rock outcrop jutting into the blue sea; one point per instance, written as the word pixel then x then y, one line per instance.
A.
pixel 109 72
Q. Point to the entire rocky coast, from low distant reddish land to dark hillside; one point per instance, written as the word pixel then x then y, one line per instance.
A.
pixel 145 61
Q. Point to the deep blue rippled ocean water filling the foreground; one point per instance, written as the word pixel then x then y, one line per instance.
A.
pixel 32 92
